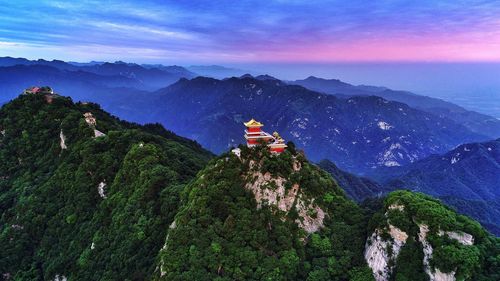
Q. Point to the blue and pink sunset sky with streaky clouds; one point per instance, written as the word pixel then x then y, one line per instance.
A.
pixel 185 32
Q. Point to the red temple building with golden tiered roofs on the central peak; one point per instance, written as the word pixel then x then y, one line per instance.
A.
pixel 254 136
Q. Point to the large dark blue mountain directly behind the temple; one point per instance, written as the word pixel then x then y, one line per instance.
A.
pixel 359 134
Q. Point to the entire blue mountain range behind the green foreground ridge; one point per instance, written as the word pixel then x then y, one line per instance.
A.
pixel 362 129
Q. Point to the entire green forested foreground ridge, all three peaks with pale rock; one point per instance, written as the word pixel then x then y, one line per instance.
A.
pixel 86 196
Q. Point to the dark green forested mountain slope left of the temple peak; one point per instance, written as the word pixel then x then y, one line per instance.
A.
pixel 83 195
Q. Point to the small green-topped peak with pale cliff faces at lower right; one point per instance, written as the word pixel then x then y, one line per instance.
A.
pixel 442 246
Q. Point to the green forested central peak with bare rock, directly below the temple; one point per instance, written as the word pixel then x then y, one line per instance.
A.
pixel 264 217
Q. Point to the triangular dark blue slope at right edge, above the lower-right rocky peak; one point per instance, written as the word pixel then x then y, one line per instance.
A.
pixel 466 178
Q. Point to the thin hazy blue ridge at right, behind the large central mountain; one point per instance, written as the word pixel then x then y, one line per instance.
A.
pixel 474 121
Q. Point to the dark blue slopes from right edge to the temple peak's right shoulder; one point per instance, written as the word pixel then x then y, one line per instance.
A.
pixel 465 178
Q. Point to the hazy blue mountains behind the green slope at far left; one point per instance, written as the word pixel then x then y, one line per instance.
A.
pixel 118 94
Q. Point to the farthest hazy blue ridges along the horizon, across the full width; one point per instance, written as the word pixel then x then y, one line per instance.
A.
pixel 149 77
